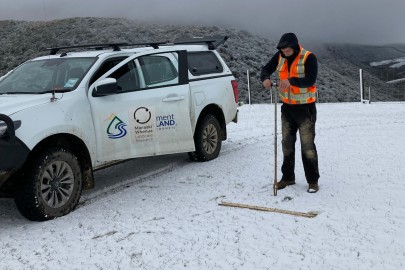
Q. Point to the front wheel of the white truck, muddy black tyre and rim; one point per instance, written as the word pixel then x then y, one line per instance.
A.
pixel 52 185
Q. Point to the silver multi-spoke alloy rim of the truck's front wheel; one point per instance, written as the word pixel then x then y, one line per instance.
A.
pixel 57 184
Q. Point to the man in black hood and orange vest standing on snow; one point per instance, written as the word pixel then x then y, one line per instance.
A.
pixel 297 71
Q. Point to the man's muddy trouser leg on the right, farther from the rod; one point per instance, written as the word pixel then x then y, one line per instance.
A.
pixel 308 148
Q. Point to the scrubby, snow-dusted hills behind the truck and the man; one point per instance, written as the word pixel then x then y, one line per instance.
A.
pixel 338 79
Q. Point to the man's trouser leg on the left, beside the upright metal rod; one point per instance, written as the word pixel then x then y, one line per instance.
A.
pixel 289 134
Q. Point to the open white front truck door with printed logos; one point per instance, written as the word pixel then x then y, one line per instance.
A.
pixel 150 112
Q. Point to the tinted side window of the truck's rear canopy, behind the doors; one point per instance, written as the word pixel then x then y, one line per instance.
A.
pixel 200 63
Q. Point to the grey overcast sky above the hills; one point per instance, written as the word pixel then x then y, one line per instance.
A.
pixel 355 21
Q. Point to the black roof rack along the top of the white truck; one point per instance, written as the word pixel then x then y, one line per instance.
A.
pixel 212 42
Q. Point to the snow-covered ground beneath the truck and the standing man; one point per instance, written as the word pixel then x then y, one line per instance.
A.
pixel 163 212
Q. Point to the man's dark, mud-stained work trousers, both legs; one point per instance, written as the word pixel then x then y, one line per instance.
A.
pixel 299 118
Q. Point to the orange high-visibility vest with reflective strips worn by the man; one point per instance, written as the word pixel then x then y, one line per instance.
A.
pixel 295 95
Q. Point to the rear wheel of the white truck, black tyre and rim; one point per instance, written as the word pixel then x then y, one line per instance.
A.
pixel 207 139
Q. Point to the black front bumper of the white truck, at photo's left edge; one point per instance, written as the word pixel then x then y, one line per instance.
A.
pixel 13 152
